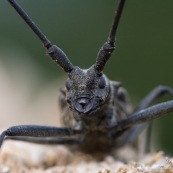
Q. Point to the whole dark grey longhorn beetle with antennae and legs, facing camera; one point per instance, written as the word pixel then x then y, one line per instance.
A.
pixel 98 118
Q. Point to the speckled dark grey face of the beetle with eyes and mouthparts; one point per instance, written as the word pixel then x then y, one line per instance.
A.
pixel 87 90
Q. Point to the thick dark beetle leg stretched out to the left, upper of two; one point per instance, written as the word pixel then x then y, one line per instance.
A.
pixel 39 131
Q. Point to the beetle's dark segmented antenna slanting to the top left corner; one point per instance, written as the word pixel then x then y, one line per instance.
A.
pixel 53 51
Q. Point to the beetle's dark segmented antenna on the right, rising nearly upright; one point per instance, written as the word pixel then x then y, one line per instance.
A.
pixel 108 47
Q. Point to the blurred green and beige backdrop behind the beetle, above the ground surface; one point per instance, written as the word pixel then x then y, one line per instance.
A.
pixel 29 80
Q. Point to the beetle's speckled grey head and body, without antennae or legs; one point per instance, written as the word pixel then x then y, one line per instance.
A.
pixel 93 102
